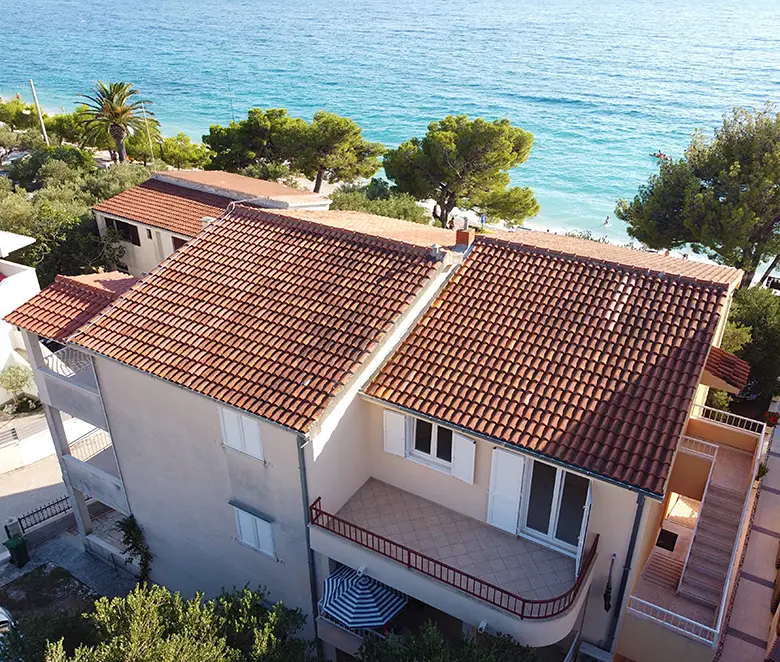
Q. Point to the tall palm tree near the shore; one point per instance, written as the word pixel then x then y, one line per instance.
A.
pixel 111 107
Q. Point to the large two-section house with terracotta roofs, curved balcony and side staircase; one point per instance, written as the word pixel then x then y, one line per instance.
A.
pixel 504 433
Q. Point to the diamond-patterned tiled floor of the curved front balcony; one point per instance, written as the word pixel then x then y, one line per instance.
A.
pixel 525 568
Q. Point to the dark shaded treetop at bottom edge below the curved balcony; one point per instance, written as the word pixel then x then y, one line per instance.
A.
pixel 429 645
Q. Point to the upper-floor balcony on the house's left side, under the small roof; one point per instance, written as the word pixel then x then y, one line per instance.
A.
pixel 70 385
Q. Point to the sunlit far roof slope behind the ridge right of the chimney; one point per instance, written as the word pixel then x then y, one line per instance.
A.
pixel 641 259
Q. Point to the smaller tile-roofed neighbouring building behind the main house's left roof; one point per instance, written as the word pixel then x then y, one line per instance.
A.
pixel 159 216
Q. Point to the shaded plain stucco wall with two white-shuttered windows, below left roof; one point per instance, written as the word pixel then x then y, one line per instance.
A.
pixel 179 480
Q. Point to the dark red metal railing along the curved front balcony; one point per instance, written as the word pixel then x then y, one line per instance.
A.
pixel 452 576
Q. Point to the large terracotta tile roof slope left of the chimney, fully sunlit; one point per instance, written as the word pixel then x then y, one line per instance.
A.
pixel 263 312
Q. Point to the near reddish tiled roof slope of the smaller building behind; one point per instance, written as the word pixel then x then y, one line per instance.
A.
pixel 162 205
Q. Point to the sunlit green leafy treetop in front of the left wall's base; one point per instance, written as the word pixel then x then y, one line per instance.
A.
pixel 152 624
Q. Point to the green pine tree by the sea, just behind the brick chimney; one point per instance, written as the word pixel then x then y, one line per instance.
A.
pixel 465 163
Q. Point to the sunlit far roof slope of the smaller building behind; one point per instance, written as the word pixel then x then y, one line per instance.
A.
pixel 239 186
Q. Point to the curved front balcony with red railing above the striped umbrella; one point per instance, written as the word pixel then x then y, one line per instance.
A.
pixel 472 571
